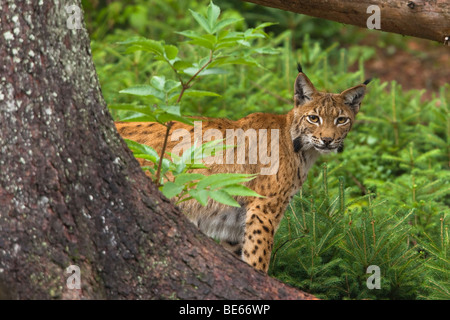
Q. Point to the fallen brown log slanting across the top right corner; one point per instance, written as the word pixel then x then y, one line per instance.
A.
pixel 418 18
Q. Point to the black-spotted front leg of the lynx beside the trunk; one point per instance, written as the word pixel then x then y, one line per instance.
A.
pixel 258 240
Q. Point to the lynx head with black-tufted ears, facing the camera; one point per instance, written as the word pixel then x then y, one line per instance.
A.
pixel 322 120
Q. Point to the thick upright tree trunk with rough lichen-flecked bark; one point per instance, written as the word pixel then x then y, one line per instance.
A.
pixel 71 192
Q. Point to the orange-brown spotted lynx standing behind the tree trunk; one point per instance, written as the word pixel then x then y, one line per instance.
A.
pixel 317 124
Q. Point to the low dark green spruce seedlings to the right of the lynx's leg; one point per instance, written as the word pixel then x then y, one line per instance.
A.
pixel 326 244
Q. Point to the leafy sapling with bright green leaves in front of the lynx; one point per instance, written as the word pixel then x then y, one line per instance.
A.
pixel 163 97
